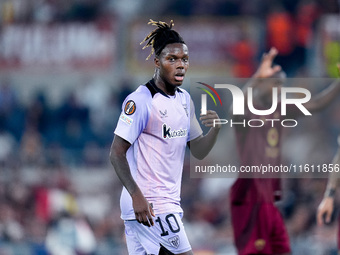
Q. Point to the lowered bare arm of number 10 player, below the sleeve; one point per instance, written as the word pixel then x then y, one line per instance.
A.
pixel 142 208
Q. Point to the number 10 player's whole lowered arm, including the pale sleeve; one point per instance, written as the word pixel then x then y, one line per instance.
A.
pixel 130 124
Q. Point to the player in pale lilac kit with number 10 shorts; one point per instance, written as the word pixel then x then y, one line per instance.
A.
pixel 157 122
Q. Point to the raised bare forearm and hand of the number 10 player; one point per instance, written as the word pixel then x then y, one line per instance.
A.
pixel 202 145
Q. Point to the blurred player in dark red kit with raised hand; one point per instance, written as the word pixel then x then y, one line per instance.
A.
pixel 257 223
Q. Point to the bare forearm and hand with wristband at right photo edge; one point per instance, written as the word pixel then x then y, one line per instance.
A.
pixel 326 206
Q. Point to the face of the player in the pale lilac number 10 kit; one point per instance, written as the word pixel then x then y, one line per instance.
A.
pixel 173 63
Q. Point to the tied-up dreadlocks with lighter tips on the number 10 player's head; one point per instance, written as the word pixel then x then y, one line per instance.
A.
pixel 160 37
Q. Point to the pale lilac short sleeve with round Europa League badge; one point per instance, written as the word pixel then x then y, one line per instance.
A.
pixel 134 116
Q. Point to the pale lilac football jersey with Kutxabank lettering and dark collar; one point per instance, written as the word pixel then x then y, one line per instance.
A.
pixel 158 128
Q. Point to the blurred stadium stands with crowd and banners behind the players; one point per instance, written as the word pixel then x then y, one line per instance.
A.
pixel 67 65
